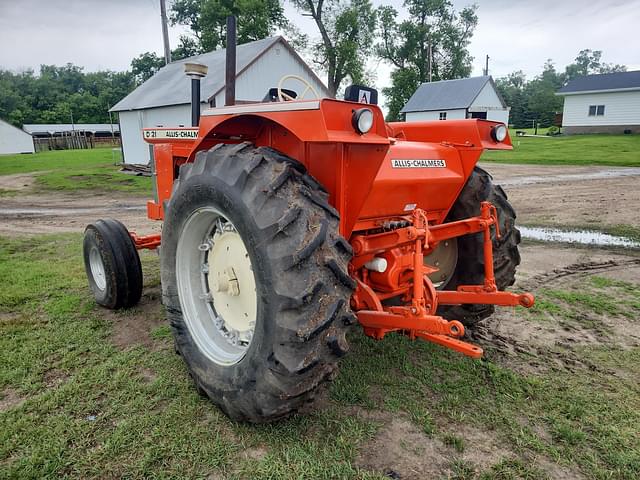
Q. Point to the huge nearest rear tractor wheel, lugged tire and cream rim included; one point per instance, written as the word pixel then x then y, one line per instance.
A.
pixel 254 280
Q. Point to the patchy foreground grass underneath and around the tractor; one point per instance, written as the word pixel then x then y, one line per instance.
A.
pixel 76 402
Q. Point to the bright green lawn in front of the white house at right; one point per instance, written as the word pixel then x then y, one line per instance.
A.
pixel 609 150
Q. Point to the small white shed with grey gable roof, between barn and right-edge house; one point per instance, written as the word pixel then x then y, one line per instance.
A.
pixel 475 97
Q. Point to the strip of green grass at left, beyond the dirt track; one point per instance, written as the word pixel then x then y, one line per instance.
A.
pixel 73 170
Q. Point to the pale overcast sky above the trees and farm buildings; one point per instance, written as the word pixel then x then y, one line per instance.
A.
pixel 517 35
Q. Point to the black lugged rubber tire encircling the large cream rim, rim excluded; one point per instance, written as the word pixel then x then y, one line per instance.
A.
pixel 297 232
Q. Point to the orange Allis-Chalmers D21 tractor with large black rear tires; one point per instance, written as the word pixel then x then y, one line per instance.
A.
pixel 286 222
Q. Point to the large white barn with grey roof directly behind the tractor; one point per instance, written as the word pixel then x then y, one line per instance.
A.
pixel 165 99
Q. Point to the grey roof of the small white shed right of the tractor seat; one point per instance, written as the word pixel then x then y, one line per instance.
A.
pixel 447 94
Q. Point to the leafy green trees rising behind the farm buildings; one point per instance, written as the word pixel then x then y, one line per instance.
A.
pixel 427 41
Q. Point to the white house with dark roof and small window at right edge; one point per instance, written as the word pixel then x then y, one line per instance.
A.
pixel 604 103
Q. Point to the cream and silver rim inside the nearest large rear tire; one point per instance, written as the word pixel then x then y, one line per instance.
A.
pixel 216 286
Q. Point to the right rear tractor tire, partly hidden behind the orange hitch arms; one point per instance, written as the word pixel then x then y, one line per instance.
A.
pixel 469 268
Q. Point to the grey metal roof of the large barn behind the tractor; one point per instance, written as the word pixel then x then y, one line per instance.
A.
pixel 169 86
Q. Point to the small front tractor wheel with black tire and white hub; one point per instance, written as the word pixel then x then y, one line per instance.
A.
pixel 112 264
